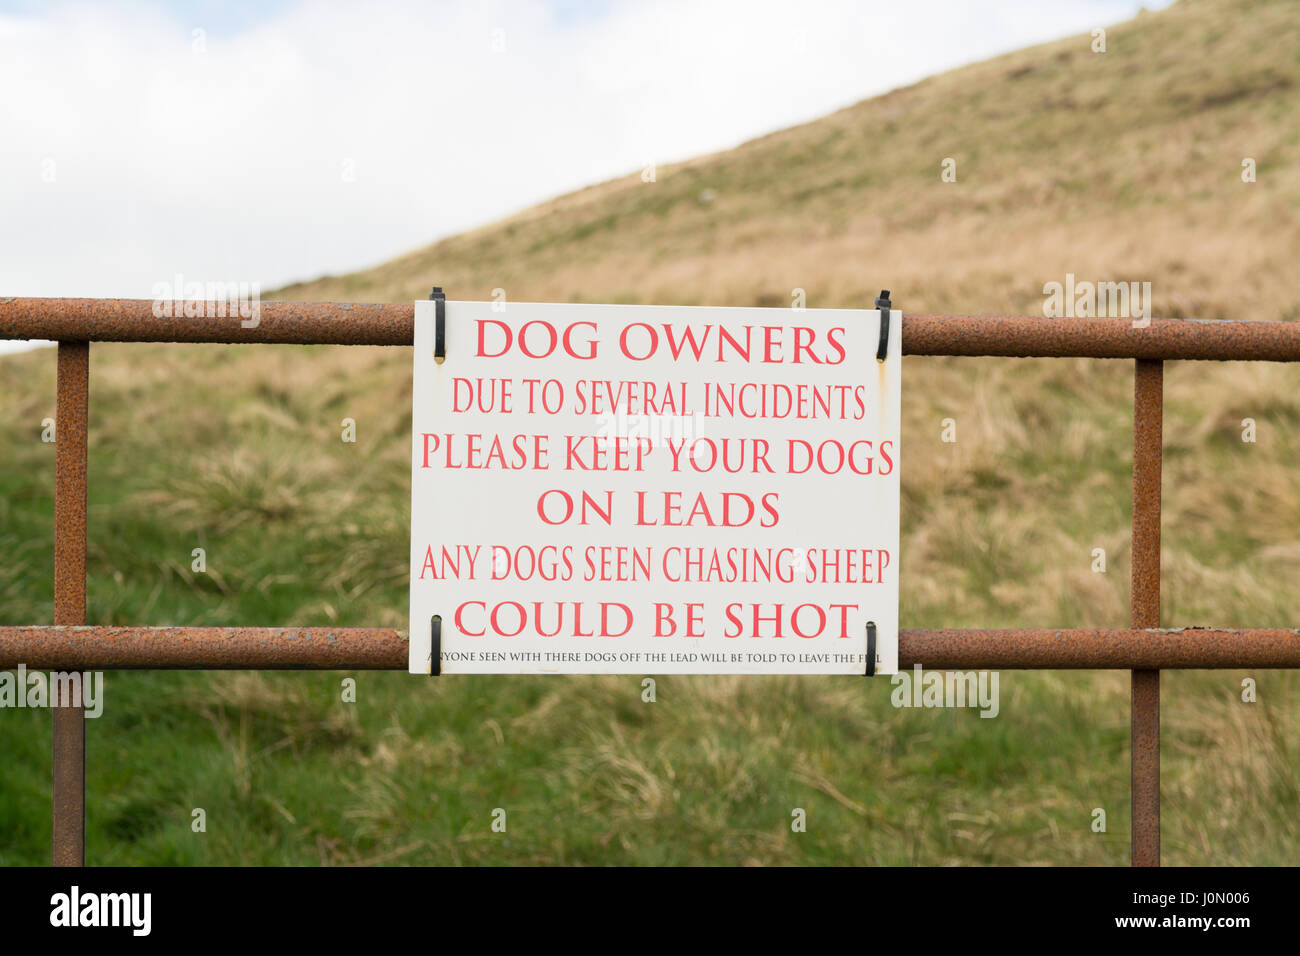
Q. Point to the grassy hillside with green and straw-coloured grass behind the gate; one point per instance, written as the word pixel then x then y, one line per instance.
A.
pixel 1117 166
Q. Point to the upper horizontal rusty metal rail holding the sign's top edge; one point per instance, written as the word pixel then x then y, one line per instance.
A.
pixel 331 323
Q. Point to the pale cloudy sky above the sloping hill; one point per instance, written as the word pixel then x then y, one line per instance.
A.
pixel 276 141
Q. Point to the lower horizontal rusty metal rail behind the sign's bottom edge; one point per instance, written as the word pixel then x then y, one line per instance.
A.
pixel 358 648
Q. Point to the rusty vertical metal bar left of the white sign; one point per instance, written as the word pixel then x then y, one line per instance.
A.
pixel 68 845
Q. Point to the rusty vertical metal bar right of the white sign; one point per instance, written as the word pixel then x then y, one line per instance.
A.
pixel 1145 605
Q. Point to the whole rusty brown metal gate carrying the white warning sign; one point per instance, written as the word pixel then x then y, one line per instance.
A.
pixel 1143 650
